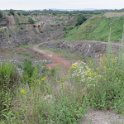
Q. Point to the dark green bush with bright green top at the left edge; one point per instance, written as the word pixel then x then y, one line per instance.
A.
pixel 8 82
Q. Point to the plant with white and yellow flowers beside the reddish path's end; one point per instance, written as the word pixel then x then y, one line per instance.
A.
pixel 81 73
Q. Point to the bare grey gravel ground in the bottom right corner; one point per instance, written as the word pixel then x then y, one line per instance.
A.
pixel 102 117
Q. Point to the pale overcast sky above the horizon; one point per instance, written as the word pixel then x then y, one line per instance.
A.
pixel 61 4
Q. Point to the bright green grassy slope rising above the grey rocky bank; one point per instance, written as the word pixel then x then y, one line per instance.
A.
pixel 97 28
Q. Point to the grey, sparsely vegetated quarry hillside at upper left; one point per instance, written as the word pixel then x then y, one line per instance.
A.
pixel 20 29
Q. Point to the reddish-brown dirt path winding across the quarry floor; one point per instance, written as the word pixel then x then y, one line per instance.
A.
pixel 56 59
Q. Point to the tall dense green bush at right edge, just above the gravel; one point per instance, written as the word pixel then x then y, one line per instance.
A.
pixel 108 93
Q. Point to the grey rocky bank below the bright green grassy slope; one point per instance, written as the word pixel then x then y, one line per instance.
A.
pixel 87 48
